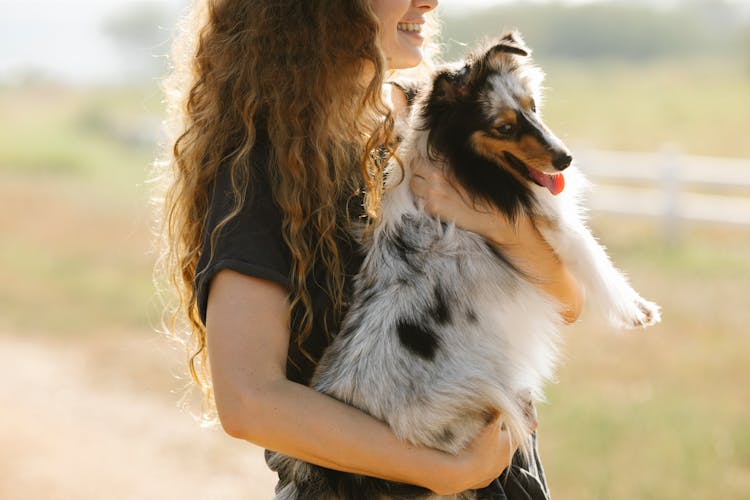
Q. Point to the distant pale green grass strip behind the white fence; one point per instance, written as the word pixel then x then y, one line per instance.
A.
pixel 701 107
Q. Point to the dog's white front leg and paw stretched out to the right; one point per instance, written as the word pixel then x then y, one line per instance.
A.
pixel 604 284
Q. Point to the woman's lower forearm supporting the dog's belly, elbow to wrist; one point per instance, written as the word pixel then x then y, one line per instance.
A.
pixel 299 422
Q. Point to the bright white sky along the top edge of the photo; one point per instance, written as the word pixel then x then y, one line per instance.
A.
pixel 64 39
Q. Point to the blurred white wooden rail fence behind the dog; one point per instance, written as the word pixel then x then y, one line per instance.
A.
pixel 669 185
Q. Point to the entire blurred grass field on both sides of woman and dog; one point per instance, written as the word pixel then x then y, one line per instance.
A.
pixel 657 414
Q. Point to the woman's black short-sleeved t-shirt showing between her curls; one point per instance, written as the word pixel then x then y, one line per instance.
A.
pixel 251 243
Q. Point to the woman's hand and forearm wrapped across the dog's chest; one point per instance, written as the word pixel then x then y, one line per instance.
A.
pixel 521 241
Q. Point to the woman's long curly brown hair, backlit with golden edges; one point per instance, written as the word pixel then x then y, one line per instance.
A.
pixel 312 72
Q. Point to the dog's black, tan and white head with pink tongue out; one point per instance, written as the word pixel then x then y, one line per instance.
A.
pixel 482 118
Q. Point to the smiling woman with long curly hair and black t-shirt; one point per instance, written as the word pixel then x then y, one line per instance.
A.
pixel 282 110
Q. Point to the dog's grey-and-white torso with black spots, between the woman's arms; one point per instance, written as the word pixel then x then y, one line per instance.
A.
pixel 442 331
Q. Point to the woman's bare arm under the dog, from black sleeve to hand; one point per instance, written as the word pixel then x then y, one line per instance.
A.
pixel 248 336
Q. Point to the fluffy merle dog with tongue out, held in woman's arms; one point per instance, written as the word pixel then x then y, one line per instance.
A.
pixel 444 331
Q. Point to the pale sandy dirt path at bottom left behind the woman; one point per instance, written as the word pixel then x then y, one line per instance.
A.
pixel 75 424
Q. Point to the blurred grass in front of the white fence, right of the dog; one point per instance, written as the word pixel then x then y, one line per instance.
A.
pixel 661 413
